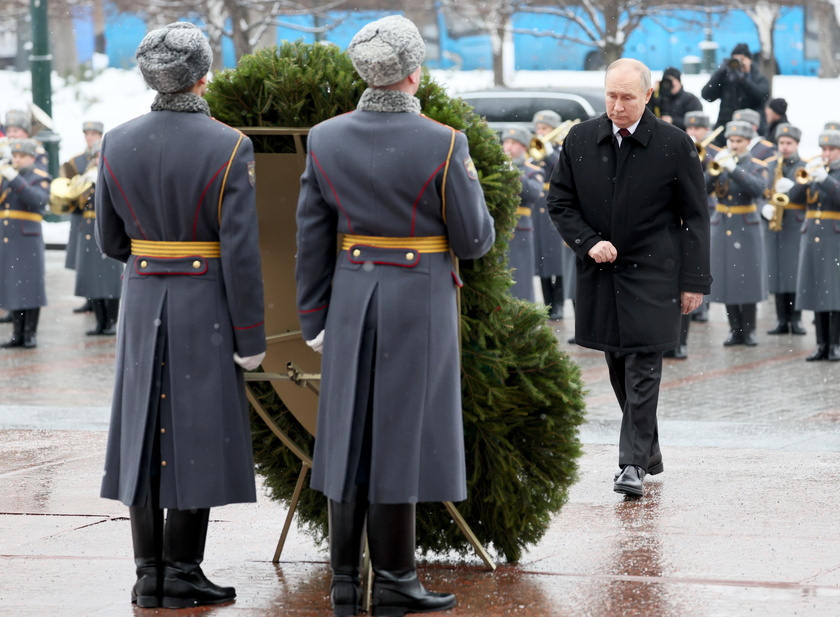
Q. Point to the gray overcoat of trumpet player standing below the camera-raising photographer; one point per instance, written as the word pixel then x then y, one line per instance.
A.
pixel 739 267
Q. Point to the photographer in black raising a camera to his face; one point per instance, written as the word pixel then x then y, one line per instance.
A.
pixel 738 85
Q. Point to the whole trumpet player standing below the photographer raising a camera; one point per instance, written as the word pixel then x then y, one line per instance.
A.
pixel 738 266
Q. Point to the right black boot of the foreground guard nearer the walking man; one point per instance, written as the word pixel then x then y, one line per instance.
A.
pixel 396 588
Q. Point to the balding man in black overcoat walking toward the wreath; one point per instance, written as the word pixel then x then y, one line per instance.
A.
pixel 628 197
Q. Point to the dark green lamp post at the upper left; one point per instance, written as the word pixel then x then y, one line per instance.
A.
pixel 41 66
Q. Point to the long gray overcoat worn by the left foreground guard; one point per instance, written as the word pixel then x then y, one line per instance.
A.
pixel 181 177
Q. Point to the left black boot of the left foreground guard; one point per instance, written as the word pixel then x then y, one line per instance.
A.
pixel 147 538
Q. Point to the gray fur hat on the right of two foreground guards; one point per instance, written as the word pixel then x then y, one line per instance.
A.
pixel 387 50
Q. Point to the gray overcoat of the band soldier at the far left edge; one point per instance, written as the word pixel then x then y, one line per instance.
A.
pixel 22 242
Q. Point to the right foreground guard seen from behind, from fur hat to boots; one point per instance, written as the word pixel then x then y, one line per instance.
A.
pixel 403 191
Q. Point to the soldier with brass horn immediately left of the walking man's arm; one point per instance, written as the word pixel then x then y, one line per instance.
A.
pixel 549 247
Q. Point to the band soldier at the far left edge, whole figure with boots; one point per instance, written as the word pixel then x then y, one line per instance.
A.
pixel 24 195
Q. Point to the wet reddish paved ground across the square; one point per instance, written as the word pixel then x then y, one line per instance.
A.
pixel 743 521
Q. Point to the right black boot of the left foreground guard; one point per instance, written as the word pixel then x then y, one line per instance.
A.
pixel 184 584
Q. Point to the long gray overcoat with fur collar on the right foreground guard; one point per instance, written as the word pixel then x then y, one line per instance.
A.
pixel 379 171
